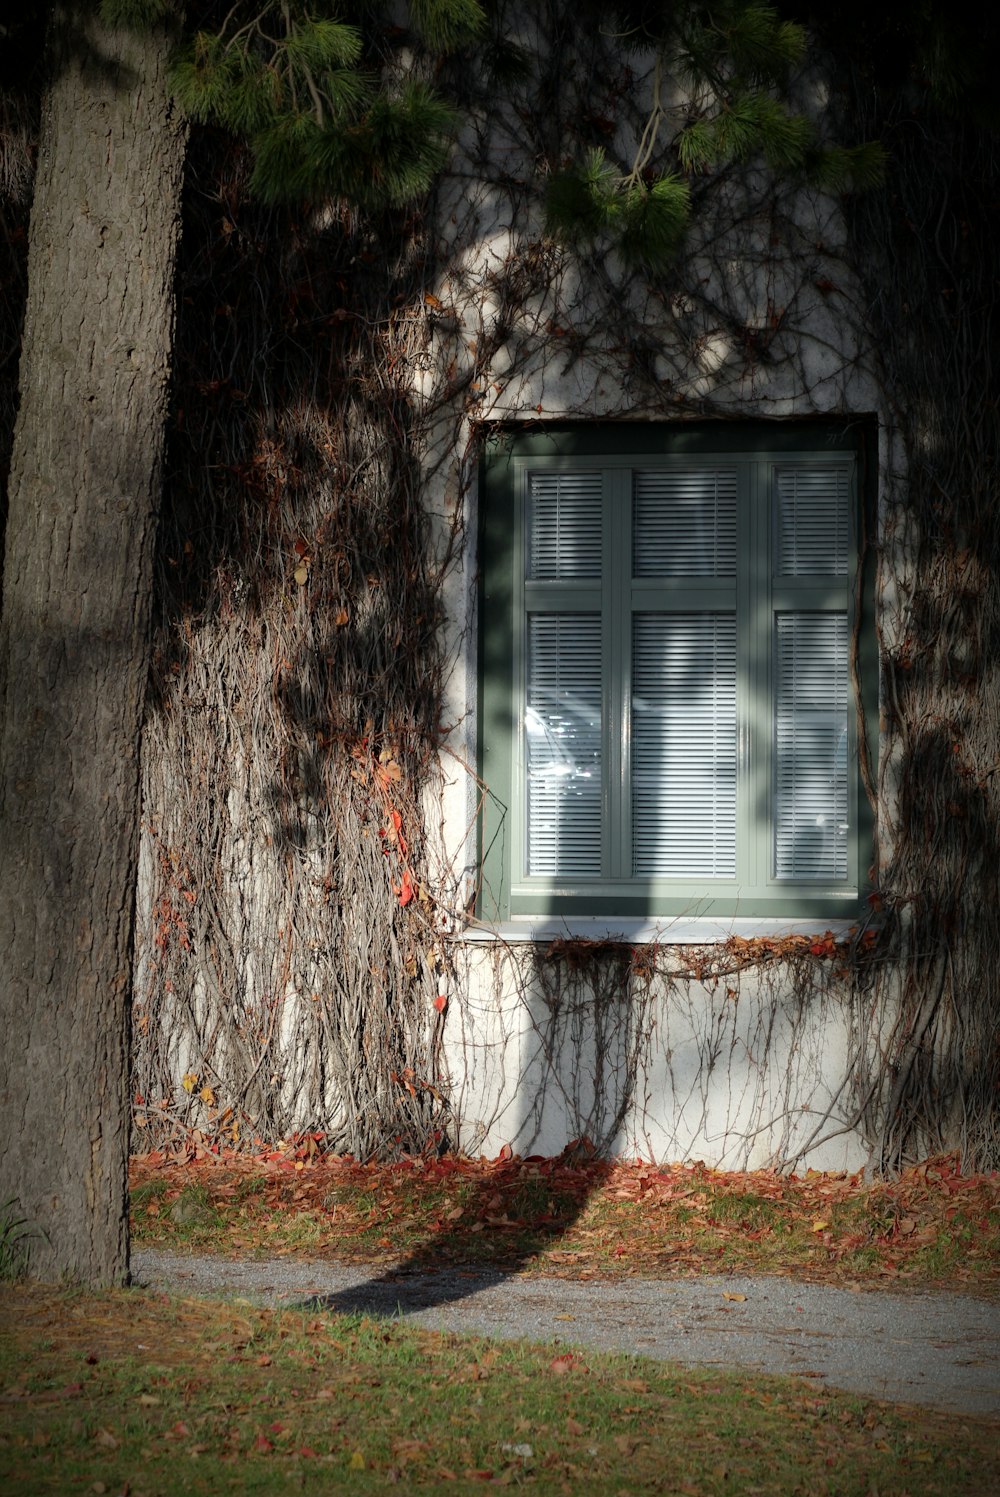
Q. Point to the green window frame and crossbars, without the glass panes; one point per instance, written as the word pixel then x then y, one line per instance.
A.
pixel 507 893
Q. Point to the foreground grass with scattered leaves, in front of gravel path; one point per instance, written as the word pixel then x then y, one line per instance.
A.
pixel 131 1391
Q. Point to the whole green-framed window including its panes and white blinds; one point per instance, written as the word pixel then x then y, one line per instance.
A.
pixel 626 607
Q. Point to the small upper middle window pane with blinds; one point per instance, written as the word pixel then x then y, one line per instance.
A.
pixel 685 523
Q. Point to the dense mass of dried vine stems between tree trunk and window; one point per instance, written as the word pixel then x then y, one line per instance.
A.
pixel 285 938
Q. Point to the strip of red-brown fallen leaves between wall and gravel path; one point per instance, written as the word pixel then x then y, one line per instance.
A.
pixel 574 1215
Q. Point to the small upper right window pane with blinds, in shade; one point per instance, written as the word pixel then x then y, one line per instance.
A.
pixel 814 522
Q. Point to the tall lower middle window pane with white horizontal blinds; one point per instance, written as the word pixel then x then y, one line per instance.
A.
pixel 685 746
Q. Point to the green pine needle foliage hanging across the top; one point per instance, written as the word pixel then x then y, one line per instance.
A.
pixel 305 83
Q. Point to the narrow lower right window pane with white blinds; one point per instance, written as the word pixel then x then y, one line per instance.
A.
pixel 811 751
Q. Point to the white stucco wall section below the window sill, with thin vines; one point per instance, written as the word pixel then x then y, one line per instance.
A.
pixel 742 1080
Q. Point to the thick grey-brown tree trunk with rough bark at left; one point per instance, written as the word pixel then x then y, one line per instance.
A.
pixel 74 637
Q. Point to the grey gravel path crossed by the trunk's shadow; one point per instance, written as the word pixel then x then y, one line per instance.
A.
pixel 938 1350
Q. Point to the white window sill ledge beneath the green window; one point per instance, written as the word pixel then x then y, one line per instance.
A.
pixel 694 932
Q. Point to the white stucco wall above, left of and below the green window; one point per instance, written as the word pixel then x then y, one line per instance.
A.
pixel 742 1082
